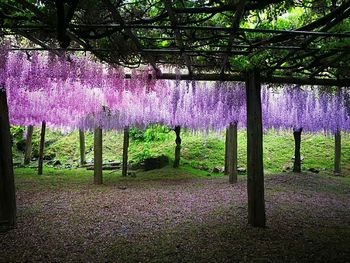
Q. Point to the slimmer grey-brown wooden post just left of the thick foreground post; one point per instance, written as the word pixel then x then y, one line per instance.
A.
pixel 232 153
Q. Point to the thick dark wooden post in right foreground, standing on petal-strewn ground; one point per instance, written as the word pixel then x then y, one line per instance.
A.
pixel 255 169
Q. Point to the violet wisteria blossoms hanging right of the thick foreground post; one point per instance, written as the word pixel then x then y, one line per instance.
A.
pixel 305 108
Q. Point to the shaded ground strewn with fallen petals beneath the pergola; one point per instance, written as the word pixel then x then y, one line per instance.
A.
pixel 189 218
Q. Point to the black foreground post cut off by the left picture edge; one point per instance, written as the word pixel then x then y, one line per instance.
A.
pixel 7 186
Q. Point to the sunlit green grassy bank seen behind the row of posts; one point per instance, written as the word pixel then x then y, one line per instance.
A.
pixel 201 150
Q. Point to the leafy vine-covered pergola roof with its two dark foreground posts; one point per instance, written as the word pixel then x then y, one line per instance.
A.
pixel 233 40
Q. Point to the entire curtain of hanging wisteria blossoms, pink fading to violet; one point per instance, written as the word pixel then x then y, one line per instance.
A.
pixel 80 93
